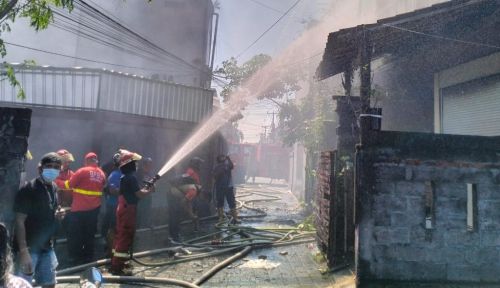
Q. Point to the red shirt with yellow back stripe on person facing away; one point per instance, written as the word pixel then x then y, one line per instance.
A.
pixel 87 184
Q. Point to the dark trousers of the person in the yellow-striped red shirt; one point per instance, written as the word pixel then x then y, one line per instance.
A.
pixel 82 230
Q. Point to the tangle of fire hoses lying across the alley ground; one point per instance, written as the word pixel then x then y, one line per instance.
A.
pixel 254 238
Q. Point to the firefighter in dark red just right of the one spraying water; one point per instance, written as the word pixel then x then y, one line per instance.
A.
pixel 180 198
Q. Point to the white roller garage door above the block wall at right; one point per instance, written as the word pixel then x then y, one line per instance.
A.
pixel 472 108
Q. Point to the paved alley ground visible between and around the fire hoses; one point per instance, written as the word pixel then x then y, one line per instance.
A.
pixel 288 266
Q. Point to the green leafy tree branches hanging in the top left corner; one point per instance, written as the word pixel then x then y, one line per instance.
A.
pixel 40 16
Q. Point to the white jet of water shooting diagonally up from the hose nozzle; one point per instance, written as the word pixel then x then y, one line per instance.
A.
pixel 306 48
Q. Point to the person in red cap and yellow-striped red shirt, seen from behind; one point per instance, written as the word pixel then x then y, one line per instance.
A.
pixel 87 184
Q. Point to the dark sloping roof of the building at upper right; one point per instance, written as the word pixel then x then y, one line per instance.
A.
pixel 454 20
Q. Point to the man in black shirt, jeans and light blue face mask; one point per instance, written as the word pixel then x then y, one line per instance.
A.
pixel 37 213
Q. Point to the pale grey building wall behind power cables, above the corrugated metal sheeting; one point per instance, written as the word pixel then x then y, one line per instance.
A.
pixel 181 27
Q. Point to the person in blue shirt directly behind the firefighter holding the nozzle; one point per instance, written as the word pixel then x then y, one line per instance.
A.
pixel 111 199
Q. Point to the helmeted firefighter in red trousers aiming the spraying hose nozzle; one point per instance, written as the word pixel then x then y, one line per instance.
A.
pixel 130 193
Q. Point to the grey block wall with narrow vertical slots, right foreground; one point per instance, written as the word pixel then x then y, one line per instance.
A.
pixel 412 200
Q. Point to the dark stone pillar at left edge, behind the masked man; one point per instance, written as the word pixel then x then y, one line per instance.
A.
pixel 14 131
